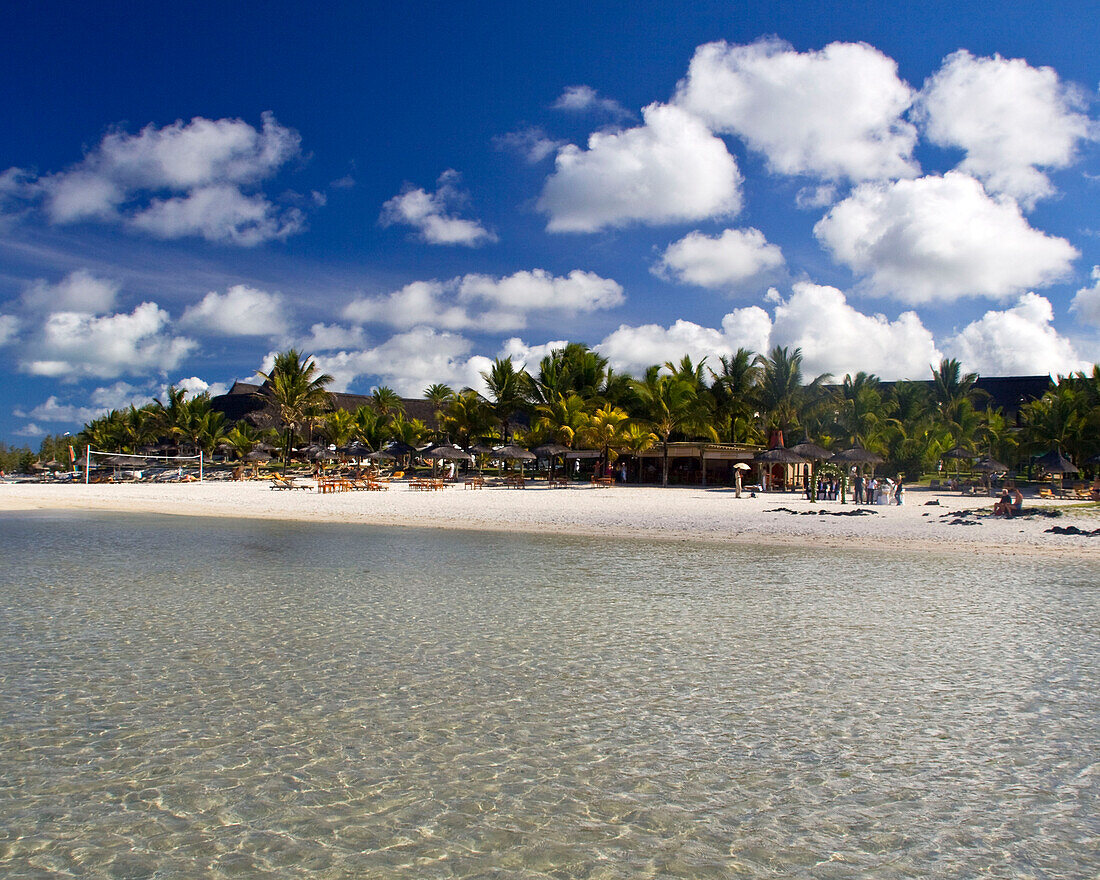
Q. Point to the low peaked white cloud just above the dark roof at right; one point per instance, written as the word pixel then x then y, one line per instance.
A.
pixel 1015 343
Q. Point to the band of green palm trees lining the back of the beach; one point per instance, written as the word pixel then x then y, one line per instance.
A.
pixel 575 400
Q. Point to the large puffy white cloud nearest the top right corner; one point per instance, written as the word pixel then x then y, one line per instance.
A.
pixel 1010 118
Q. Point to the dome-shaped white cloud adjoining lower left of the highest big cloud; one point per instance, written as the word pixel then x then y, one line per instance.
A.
pixel 669 170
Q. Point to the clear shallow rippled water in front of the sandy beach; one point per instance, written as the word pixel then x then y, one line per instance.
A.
pixel 189 699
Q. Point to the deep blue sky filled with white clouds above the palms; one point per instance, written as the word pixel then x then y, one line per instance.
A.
pixel 411 191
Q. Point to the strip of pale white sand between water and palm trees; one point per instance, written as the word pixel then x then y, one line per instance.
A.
pixel 623 512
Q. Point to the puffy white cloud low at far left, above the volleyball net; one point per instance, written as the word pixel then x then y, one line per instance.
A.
pixel 73 345
